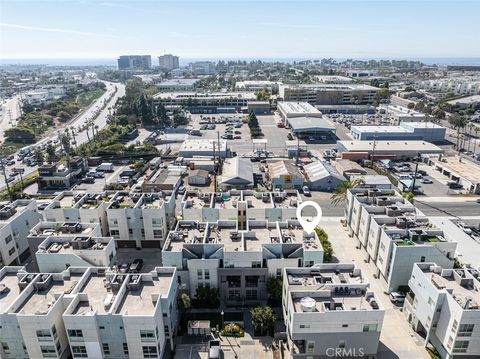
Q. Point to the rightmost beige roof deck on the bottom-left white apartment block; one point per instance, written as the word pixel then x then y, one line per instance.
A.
pixel 141 301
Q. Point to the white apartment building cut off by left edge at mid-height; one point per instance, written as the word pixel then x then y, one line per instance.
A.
pixel 16 220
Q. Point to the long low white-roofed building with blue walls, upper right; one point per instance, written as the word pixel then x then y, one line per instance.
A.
pixel 408 131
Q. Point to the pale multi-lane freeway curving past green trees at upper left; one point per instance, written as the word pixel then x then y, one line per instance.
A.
pixel 79 121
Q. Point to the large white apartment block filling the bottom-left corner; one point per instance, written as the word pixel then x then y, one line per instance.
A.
pixel 87 313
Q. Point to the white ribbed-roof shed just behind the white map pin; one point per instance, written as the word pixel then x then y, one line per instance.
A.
pixel 322 176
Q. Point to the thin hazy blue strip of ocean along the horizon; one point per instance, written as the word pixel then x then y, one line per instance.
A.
pixel 108 61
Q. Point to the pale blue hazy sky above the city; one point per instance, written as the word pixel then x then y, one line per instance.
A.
pixel 309 29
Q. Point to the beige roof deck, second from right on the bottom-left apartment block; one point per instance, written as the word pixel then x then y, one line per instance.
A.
pixel 98 294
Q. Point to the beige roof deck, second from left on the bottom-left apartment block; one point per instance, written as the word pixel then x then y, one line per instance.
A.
pixel 39 302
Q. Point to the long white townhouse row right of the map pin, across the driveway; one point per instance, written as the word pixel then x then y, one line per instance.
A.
pixel 394 235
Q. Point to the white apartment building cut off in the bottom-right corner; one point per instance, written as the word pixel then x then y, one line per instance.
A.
pixel 443 304
